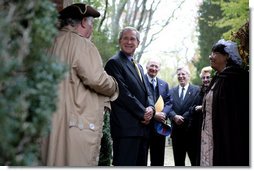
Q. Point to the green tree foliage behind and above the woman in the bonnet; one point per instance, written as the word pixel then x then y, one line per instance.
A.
pixel 219 19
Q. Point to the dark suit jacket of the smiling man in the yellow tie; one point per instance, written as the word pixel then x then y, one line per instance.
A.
pixel 129 108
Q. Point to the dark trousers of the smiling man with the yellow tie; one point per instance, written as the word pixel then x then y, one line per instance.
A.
pixel 130 151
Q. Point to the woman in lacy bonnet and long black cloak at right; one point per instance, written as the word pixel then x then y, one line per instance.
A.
pixel 225 128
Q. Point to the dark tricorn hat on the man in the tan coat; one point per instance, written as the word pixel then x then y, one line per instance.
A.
pixel 78 11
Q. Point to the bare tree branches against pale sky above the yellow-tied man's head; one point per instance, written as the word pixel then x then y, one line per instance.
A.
pixel 139 14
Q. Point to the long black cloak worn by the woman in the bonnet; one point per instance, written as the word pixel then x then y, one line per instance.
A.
pixel 230 118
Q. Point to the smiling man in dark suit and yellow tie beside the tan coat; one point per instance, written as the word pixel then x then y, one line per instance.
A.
pixel 134 108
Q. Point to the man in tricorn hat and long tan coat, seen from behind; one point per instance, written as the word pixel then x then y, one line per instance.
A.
pixel 85 93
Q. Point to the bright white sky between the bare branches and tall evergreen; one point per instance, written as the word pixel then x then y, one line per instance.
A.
pixel 180 30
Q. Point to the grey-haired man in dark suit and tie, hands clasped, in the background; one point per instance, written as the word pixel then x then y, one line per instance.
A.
pixel 183 97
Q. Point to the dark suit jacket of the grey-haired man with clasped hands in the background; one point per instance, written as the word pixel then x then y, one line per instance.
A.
pixel 183 109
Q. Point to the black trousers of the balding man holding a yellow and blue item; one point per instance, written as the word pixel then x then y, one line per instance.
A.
pixel 157 149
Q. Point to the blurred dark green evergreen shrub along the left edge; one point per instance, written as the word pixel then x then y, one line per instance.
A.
pixel 28 78
